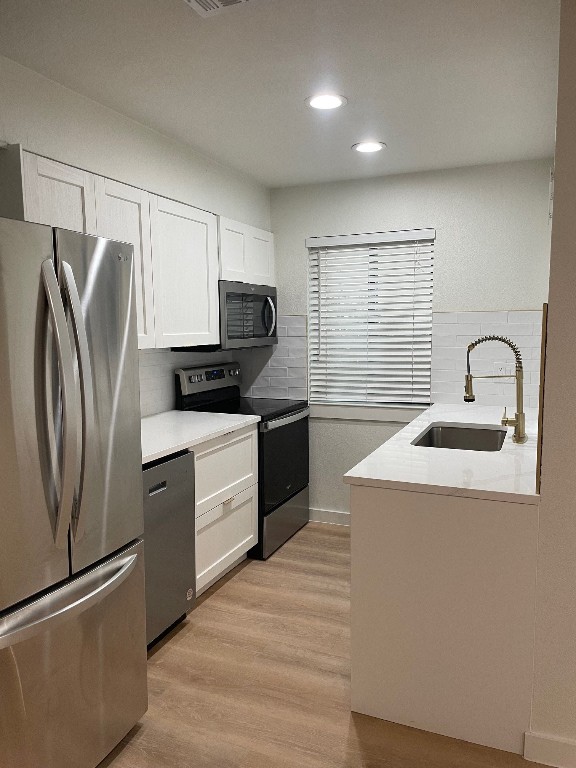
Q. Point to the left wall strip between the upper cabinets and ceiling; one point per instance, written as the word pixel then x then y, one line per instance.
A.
pixel 51 120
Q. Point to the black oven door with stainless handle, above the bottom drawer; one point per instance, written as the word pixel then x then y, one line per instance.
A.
pixel 283 459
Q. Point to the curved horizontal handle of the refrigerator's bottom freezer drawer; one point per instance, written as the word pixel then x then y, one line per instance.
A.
pixel 35 620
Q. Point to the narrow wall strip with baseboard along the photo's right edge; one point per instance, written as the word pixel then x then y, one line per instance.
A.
pixel 554 705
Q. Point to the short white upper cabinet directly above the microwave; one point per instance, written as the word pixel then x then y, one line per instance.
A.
pixel 246 253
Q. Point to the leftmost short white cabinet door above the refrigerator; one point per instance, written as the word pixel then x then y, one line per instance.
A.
pixel 59 195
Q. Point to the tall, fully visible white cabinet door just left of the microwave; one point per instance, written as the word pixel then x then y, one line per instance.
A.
pixel 185 263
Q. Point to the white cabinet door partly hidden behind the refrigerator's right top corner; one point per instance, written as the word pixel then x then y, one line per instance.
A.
pixel 123 213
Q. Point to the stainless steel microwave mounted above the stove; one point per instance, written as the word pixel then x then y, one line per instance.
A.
pixel 247 315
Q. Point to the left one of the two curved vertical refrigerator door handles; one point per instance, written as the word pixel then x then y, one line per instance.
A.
pixel 69 421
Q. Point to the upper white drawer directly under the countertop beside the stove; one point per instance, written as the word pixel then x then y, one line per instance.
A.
pixel 224 467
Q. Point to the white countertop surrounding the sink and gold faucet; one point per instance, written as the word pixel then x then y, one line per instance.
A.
pixel 505 475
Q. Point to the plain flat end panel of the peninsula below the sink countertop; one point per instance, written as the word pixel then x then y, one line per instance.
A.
pixel 443 591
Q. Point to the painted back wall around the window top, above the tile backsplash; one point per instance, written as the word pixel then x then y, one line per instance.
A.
pixel 492 230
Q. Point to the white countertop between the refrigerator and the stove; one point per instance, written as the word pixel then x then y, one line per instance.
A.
pixel 172 431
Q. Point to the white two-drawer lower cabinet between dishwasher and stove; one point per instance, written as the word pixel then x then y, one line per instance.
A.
pixel 226 509
